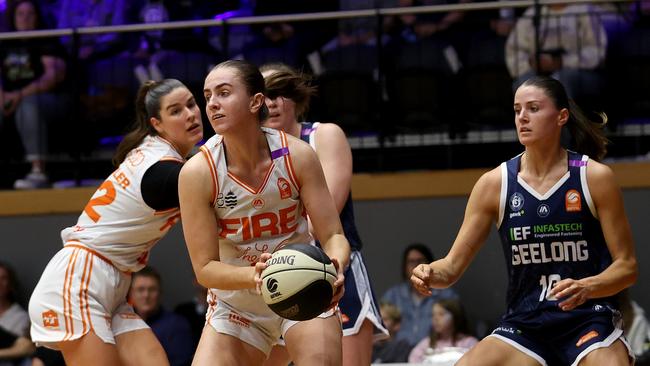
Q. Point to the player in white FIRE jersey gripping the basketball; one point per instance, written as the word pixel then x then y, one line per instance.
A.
pixel 248 194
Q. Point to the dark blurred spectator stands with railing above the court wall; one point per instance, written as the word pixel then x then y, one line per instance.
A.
pixel 415 84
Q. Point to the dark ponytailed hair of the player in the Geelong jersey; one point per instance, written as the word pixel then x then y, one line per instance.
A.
pixel 587 136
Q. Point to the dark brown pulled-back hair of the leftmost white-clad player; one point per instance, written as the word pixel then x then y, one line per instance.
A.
pixel 147 105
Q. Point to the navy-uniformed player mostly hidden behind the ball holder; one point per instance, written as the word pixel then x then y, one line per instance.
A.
pixel 288 96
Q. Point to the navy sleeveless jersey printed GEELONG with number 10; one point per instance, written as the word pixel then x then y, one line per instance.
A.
pixel 549 237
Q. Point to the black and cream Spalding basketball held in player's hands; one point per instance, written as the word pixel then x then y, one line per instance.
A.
pixel 298 282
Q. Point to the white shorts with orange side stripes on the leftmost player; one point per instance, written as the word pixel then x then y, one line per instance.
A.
pixel 81 291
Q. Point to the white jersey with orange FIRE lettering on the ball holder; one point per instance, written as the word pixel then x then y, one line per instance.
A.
pixel 255 220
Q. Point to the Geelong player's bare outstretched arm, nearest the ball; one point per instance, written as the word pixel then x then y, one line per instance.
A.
pixel 481 212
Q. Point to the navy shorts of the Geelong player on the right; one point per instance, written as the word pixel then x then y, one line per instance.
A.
pixel 562 338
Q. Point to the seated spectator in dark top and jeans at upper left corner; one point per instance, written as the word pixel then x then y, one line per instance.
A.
pixel 33 73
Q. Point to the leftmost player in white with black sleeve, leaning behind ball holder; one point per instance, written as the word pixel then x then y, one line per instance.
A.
pixel 79 305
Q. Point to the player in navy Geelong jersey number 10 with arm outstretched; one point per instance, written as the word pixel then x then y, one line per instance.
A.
pixel 566 240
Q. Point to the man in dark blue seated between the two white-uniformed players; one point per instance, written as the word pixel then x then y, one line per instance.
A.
pixel 172 330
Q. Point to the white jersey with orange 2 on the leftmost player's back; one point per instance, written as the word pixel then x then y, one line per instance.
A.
pixel 116 222
